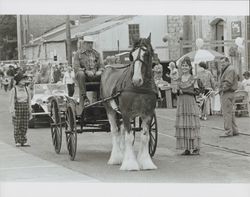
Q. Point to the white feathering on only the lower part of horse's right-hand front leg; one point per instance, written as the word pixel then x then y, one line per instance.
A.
pixel 144 159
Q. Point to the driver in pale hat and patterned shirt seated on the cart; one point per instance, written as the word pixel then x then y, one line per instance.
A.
pixel 88 67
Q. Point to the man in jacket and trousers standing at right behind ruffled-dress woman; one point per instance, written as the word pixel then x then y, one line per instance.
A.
pixel 228 85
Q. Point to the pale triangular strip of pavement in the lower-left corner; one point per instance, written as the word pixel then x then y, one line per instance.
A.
pixel 18 166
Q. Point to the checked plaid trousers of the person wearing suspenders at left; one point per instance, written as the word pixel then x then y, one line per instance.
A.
pixel 20 122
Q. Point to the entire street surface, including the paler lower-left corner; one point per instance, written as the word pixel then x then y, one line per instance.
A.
pixel 222 160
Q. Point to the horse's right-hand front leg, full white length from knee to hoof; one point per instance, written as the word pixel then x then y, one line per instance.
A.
pixel 143 157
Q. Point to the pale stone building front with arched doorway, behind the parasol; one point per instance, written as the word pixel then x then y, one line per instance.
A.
pixel 220 32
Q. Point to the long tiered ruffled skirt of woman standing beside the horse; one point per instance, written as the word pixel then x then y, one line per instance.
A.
pixel 187 123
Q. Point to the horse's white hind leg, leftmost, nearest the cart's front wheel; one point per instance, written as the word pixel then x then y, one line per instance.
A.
pixel 116 156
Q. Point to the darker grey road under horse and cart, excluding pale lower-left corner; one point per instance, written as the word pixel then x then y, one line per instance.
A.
pixel 220 160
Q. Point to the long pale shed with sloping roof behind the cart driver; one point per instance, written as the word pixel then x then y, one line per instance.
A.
pixel 112 35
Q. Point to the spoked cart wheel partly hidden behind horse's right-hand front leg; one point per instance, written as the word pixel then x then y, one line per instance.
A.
pixel 153 136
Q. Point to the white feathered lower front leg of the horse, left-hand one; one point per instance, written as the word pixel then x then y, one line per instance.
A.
pixel 129 161
